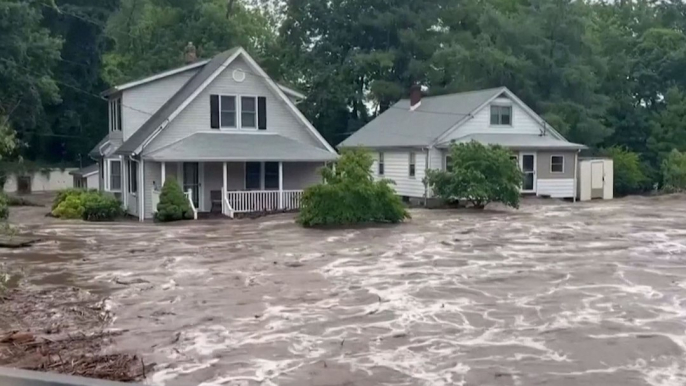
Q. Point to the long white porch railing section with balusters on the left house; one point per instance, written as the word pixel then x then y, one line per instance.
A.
pixel 263 200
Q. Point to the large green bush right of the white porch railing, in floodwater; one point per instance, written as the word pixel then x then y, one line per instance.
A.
pixel 350 195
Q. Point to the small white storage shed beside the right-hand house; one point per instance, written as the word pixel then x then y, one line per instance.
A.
pixel 596 179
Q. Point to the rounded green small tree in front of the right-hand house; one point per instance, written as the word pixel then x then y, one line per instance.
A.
pixel 479 175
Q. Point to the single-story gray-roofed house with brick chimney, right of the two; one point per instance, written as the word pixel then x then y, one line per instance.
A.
pixel 415 135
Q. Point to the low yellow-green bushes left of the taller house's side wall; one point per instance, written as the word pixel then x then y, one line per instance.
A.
pixel 91 205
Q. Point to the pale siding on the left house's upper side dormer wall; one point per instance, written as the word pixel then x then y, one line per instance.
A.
pixel 148 98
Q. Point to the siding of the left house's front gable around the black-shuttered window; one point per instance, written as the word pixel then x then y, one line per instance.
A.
pixel 196 116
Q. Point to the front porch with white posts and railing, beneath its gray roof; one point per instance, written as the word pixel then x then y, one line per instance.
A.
pixel 236 187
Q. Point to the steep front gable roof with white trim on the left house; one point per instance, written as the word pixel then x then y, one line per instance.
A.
pixel 196 84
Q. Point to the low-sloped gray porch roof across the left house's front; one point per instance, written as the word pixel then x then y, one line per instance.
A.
pixel 218 146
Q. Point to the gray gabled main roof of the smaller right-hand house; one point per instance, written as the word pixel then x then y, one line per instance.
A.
pixel 434 119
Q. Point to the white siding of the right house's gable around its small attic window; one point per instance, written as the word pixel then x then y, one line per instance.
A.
pixel 522 123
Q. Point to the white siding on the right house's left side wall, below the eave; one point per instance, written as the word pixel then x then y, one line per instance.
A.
pixel 397 164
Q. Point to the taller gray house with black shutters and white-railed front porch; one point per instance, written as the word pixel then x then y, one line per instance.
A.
pixel 231 136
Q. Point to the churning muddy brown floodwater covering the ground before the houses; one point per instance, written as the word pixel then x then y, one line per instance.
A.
pixel 552 294
